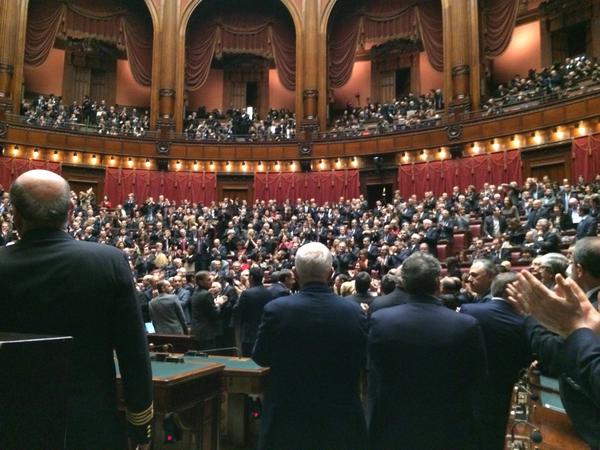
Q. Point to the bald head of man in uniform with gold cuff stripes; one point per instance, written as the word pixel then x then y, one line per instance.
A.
pixel 41 200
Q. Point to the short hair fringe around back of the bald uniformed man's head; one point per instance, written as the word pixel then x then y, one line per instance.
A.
pixel 41 214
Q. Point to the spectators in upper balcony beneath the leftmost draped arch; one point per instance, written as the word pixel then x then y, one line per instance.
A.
pixel 51 112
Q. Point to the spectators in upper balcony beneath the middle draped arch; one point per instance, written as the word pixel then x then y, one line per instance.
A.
pixel 235 124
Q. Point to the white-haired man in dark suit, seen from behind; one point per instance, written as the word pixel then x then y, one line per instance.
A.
pixel 314 342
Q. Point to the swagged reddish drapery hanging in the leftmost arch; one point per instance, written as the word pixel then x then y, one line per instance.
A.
pixel 105 21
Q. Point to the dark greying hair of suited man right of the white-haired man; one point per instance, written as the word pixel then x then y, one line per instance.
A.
pixel 420 273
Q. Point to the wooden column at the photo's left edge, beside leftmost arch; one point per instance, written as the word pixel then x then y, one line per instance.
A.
pixel 13 18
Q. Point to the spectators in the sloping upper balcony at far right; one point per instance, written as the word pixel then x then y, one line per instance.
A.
pixel 550 82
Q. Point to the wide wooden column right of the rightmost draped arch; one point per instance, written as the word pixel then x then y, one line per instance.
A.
pixel 461 54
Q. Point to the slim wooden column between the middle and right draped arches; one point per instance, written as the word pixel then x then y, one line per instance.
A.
pixel 310 74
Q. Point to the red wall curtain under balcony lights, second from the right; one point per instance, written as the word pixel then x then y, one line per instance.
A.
pixel 442 176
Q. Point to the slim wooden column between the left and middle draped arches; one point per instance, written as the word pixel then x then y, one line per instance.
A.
pixel 166 89
